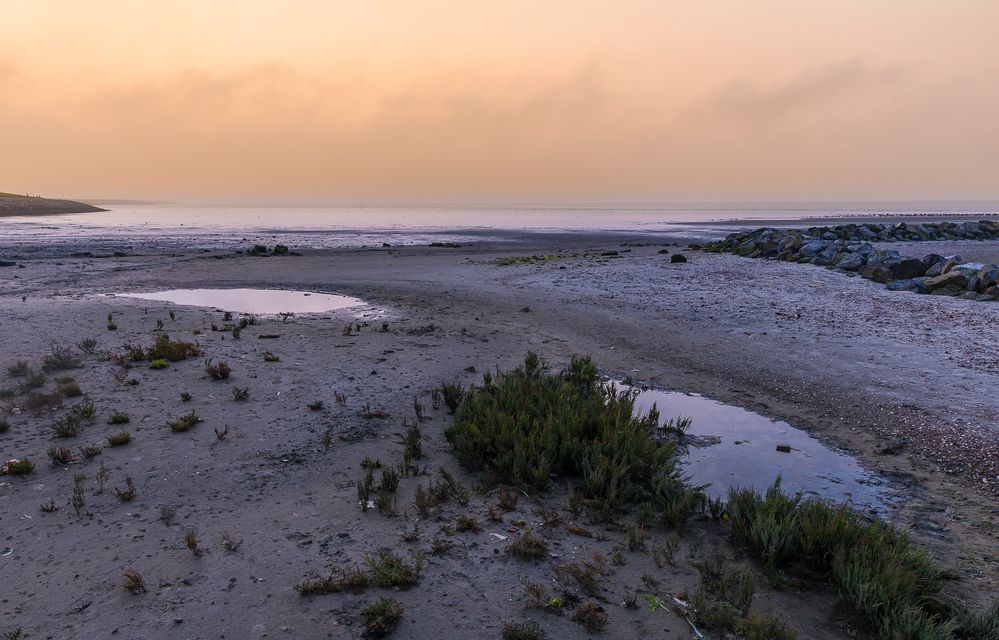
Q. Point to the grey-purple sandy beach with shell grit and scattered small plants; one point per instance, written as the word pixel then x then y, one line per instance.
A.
pixel 898 380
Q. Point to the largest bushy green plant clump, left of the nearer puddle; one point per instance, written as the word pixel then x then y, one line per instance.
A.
pixel 527 424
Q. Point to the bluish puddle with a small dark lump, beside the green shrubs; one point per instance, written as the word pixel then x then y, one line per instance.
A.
pixel 734 447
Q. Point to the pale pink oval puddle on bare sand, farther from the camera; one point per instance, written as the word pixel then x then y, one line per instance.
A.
pixel 262 301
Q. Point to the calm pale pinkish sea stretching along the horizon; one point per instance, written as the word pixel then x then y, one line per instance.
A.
pixel 209 225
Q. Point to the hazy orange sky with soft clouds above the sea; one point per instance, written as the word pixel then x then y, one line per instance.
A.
pixel 577 99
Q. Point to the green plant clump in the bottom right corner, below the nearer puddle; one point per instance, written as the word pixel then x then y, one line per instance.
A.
pixel 891 583
